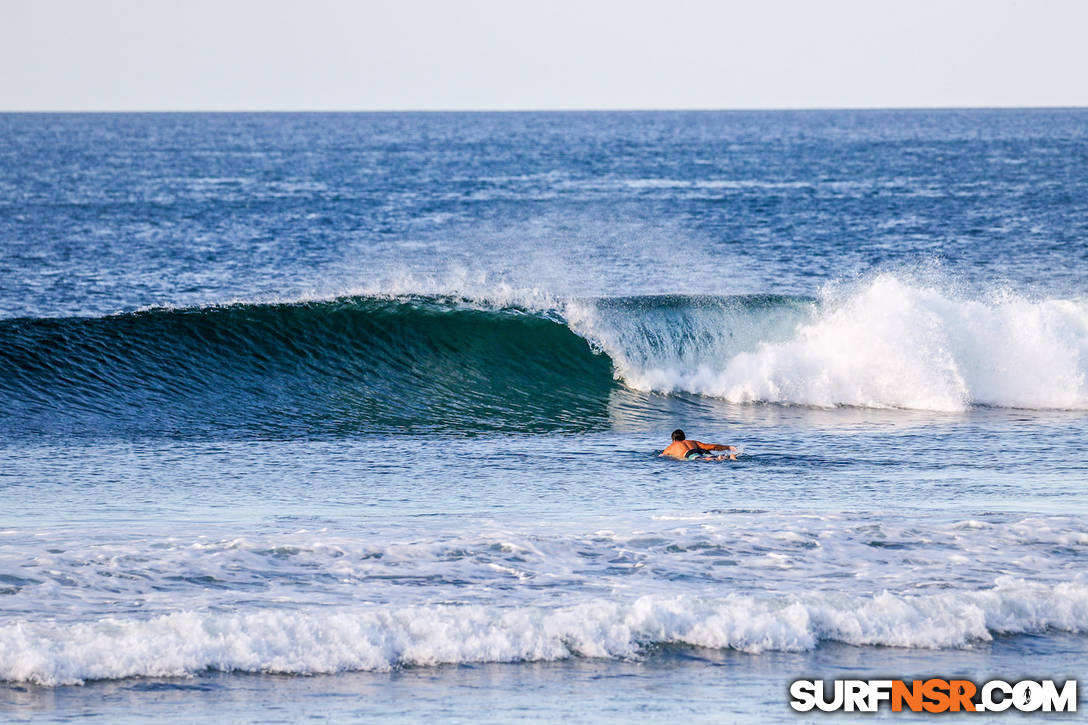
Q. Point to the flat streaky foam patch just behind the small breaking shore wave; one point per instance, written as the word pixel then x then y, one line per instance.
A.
pixel 68 577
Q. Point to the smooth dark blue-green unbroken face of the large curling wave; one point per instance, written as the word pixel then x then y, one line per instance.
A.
pixel 412 364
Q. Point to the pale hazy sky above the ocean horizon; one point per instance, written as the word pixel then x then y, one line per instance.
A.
pixel 513 55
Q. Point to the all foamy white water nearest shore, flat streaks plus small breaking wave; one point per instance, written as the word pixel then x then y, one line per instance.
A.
pixel 595 595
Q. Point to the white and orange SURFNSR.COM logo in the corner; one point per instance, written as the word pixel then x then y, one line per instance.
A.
pixel 934 696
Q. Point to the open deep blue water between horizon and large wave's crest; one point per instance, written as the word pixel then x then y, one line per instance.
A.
pixel 114 213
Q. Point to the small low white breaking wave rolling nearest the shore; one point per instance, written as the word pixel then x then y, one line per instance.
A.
pixel 381 640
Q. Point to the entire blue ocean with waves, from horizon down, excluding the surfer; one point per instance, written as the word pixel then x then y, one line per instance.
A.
pixel 356 416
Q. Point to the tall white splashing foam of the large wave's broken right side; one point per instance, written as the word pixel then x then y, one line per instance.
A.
pixel 886 343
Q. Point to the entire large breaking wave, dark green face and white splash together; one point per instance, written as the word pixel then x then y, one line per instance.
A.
pixel 451 364
